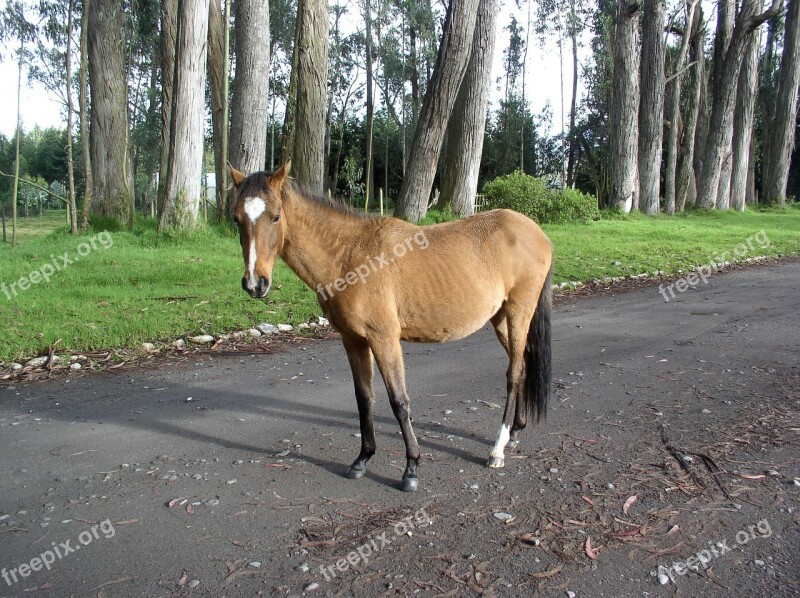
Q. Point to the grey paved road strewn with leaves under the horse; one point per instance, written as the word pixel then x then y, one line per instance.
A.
pixel 90 464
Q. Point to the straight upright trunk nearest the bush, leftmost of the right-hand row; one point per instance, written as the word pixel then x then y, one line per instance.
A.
pixel 623 136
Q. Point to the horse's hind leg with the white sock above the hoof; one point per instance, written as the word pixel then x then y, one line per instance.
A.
pixel 516 319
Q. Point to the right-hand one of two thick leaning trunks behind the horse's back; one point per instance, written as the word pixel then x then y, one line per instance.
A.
pixel 468 121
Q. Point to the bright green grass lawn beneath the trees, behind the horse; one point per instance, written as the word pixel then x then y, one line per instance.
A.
pixel 132 287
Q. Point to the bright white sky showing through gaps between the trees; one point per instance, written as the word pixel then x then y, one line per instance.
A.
pixel 543 81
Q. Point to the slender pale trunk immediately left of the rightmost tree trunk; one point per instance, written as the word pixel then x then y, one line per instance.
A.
pixel 743 125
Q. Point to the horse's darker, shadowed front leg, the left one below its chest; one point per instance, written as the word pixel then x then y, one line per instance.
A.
pixel 360 358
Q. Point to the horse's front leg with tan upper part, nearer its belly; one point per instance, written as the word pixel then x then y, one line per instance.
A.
pixel 389 355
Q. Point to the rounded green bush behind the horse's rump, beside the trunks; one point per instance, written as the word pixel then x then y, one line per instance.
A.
pixel 536 199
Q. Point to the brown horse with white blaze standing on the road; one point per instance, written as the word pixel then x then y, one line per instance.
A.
pixel 383 280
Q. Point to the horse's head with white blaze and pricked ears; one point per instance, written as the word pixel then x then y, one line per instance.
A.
pixel 258 214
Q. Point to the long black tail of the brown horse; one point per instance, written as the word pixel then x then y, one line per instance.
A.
pixel 538 355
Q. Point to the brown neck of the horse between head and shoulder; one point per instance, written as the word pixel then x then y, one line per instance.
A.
pixel 315 240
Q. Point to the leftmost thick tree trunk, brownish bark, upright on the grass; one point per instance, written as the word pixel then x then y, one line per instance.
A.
pixel 111 161
